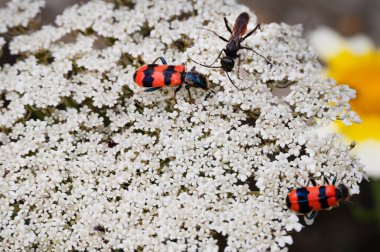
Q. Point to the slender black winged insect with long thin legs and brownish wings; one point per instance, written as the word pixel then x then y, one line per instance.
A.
pixel 233 45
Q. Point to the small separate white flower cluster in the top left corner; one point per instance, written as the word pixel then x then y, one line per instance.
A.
pixel 19 13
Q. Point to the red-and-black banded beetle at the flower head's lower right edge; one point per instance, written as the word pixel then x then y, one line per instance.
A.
pixel 308 200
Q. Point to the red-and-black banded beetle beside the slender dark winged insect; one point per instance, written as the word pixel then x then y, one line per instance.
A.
pixel 154 77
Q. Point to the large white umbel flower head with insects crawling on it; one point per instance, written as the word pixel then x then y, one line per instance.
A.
pixel 88 162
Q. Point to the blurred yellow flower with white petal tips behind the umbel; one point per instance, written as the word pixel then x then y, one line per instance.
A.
pixel 355 61
